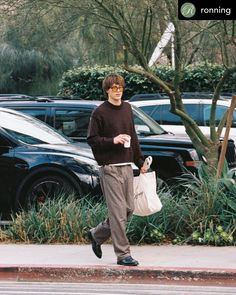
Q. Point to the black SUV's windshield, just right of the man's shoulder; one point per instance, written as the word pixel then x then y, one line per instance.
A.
pixel 145 125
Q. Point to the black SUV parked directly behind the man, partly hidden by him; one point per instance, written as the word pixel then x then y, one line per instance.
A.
pixel 172 155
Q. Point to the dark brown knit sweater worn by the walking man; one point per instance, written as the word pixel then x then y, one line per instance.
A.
pixel 108 121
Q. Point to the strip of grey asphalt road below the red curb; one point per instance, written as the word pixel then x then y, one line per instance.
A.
pixel 29 288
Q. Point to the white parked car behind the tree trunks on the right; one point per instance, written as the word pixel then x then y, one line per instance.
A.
pixel 198 109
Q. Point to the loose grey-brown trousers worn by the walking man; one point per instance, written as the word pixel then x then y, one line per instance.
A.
pixel 117 187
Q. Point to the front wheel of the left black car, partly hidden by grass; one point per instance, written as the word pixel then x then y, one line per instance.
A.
pixel 46 187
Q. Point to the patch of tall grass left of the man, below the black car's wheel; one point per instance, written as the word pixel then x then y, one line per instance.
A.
pixel 61 220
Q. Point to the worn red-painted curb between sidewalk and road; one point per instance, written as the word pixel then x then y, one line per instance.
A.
pixel 117 274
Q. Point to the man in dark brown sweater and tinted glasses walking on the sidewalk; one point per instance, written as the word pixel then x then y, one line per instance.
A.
pixel 115 146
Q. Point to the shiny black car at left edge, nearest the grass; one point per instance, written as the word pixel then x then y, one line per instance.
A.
pixel 36 162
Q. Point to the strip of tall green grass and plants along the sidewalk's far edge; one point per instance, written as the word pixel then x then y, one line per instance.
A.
pixel 200 210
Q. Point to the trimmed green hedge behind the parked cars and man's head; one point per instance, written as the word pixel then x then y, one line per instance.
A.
pixel 86 82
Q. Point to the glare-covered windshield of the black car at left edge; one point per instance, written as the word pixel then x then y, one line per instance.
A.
pixel 28 129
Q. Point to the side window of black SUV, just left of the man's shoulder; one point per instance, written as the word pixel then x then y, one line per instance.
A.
pixel 72 122
